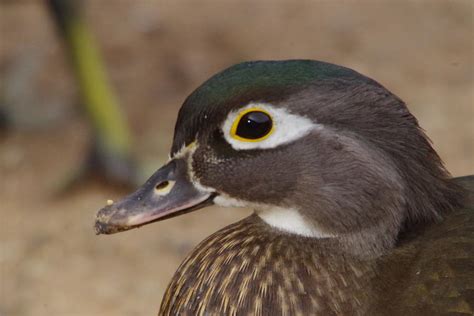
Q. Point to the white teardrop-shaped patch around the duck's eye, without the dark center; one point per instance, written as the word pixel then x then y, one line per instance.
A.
pixel 287 127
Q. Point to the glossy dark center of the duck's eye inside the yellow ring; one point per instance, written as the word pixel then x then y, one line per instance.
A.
pixel 254 125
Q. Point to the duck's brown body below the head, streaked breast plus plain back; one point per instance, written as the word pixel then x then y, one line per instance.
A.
pixel 249 268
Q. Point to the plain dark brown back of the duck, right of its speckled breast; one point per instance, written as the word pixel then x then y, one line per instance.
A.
pixel 431 271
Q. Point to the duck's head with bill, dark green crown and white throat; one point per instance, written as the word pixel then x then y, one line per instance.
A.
pixel 316 149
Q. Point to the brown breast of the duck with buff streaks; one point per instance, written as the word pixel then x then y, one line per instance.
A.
pixel 248 268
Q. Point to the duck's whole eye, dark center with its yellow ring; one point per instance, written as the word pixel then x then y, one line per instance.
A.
pixel 252 129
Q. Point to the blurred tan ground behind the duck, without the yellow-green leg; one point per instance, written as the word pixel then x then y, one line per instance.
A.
pixel 155 53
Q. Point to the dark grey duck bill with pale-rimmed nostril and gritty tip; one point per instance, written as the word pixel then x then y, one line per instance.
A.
pixel 167 193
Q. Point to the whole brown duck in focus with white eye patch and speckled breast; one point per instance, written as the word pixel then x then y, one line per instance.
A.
pixel 354 211
